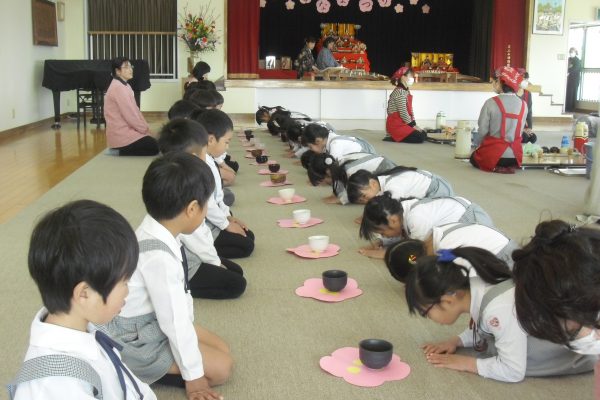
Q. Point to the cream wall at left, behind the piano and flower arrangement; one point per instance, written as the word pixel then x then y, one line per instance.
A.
pixel 22 62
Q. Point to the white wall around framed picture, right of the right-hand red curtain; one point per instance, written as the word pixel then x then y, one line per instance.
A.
pixel 547 54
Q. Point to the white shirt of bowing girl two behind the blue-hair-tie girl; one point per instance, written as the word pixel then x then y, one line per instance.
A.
pixel 419 221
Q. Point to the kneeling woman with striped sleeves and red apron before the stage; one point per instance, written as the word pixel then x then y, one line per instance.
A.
pixel 400 124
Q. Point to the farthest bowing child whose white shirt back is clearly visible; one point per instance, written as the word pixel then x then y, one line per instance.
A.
pixel 320 139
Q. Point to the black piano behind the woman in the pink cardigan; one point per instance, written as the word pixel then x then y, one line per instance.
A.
pixel 93 75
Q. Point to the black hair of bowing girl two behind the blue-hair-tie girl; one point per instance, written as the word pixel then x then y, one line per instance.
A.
pixel 376 213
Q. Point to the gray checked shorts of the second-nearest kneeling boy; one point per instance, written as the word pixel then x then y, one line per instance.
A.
pixel 146 348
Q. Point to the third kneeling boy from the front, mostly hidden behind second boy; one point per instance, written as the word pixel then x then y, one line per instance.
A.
pixel 210 276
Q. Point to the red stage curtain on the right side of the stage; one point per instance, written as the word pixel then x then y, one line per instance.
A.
pixel 508 29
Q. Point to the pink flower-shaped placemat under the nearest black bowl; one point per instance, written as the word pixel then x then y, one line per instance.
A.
pixel 345 363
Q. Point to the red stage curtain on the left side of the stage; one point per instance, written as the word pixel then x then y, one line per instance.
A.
pixel 243 28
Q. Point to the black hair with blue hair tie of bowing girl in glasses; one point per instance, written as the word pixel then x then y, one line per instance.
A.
pixel 433 278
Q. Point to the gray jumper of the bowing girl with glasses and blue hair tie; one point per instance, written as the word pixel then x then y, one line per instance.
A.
pixel 543 358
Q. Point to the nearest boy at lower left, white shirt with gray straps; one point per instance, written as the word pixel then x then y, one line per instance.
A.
pixel 81 256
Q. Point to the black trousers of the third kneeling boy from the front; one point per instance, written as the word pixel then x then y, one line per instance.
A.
pixel 216 282
